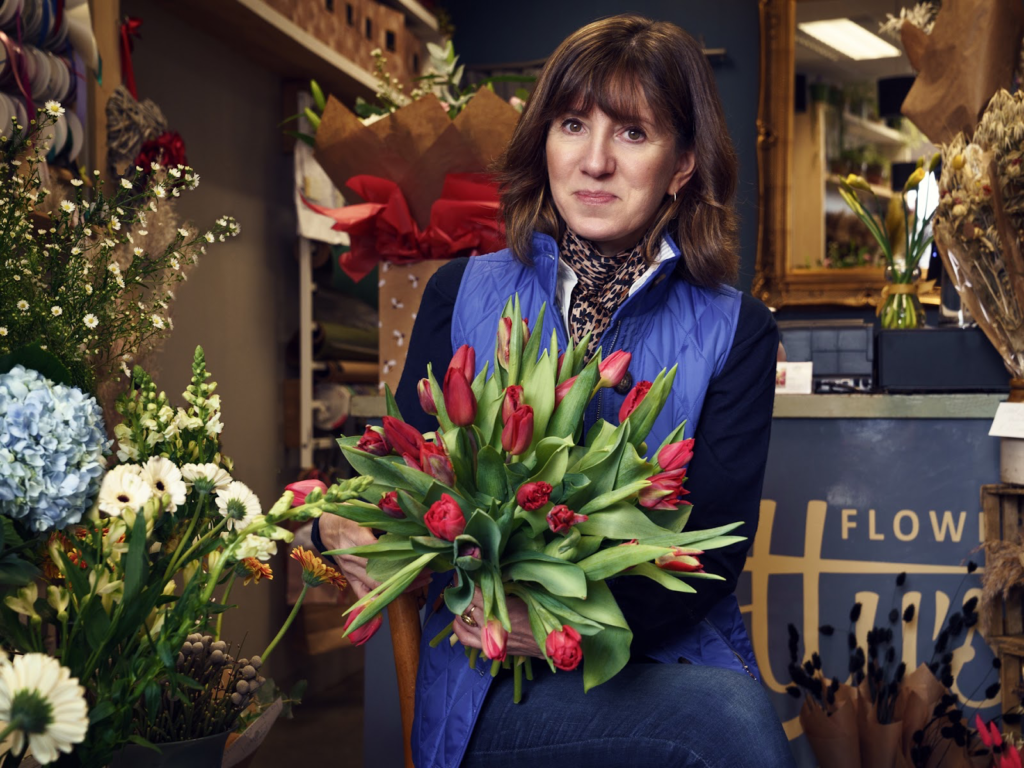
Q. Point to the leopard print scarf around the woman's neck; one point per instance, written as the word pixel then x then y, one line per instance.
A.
pixel 605 283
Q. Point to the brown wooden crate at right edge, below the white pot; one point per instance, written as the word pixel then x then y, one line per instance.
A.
pixel 1003 620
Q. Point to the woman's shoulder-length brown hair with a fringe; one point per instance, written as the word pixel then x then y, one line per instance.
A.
pixel 621 65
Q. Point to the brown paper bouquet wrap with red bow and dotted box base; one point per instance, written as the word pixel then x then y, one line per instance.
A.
pixel 416 169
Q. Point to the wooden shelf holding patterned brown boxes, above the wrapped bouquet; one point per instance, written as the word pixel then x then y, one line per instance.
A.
pixel 269 38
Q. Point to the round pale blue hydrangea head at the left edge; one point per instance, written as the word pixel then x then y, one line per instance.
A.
pixel 52 451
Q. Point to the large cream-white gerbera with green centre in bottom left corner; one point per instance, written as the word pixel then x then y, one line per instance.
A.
pixel 46 705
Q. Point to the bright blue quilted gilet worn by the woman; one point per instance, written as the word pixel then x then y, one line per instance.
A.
pixel 666 322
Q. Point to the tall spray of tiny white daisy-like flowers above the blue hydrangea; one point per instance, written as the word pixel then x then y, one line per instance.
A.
pixel 80 283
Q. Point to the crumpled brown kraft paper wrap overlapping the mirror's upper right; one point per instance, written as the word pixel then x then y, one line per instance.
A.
pixel 972 53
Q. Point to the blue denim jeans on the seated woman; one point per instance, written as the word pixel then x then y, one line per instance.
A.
pixel 650 714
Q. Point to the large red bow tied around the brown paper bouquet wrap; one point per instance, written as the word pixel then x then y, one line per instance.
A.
pixel 464 219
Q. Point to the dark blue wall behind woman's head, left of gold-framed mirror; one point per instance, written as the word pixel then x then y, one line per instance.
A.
pixel 533 29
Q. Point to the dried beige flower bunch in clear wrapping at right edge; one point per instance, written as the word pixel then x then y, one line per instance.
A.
pixel 979 223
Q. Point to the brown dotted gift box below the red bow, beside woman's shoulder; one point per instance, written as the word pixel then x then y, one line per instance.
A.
pixel 401 291
